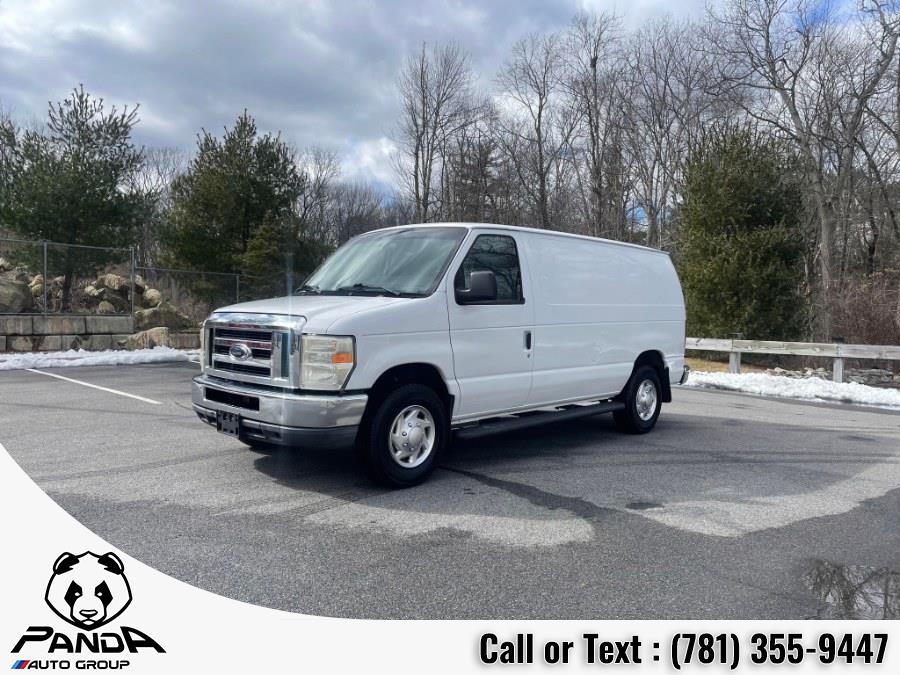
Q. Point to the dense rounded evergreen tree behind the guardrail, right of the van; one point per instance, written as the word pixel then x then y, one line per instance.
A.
pixel 741 250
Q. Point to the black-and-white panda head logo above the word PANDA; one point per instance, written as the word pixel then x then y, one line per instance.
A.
pixel 88 590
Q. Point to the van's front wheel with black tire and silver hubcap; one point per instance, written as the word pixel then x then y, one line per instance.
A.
pixel 407 433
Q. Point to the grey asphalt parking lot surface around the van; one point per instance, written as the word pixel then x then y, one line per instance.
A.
pixel 729 509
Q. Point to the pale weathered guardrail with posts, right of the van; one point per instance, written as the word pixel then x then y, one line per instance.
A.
pixel 837 351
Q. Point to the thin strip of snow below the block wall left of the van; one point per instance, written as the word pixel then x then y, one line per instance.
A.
pixel 110 357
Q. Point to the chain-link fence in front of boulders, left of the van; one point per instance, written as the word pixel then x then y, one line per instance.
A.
pixel 42 277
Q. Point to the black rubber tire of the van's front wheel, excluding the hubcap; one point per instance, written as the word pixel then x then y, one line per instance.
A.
pixel 374 442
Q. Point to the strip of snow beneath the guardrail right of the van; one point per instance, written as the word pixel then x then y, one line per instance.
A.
pixel 807 388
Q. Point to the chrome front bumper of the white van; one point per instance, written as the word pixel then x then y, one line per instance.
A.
pixel 280 417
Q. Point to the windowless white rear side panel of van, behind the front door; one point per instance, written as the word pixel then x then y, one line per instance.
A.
pixel 599 305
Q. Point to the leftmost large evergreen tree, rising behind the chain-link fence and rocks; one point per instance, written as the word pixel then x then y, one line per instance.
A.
pixel 70 182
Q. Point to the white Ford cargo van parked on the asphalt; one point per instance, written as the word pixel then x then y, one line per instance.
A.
pixel 409 334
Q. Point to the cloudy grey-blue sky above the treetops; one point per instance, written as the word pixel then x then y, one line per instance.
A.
pixel 323 73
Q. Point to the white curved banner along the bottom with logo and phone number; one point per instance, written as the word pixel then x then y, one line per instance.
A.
pixel 73 602
